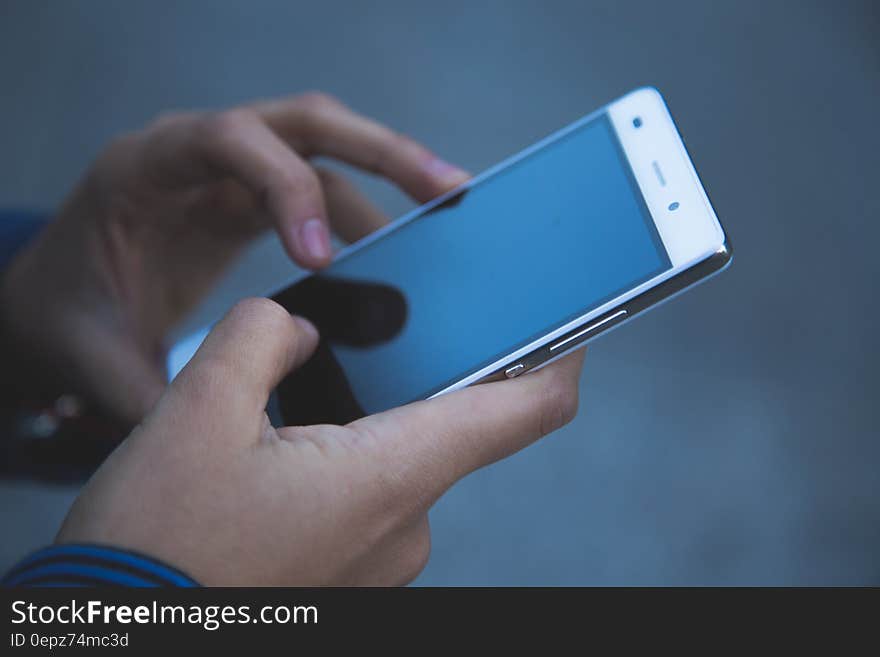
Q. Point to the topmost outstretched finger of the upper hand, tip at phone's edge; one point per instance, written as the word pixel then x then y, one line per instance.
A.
pixel 317 124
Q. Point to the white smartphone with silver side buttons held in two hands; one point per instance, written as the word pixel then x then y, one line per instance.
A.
pixel 526 262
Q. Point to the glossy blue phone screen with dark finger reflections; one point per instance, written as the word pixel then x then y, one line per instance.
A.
pixel 509 258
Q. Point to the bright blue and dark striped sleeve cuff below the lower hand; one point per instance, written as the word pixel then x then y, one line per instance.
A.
pixel 93 565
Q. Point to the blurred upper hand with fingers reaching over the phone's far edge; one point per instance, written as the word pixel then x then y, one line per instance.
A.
pixel 163 211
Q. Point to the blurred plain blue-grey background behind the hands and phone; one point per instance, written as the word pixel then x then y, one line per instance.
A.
pixel 729 437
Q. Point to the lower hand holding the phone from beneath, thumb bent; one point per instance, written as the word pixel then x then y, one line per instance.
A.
pixel 208 485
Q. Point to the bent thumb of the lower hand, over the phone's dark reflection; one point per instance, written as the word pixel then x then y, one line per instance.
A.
pixel 244 358
